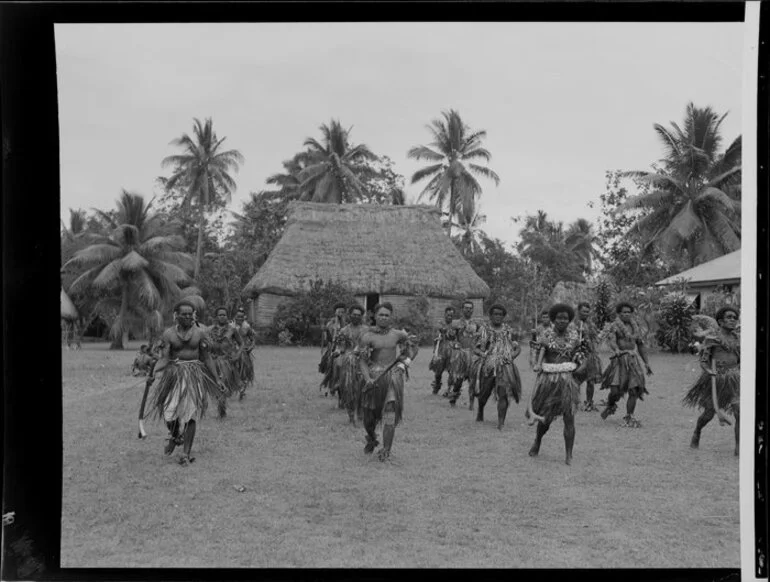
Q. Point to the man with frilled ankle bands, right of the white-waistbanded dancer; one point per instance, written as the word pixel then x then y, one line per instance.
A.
pixel 624 375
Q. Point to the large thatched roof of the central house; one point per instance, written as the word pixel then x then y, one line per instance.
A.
pixel 399 250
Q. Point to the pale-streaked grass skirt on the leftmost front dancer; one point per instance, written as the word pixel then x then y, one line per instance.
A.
pixel 182 392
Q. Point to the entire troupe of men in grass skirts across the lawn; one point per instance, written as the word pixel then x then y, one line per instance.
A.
pixel 366 366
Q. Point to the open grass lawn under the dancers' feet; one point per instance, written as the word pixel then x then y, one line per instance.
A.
pixel 457 494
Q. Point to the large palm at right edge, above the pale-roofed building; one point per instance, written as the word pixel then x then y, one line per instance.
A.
pixel 695 204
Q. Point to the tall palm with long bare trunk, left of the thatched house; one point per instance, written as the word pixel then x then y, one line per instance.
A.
pixel 205 171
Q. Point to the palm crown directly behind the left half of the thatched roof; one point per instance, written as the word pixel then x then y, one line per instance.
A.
pixel 331 174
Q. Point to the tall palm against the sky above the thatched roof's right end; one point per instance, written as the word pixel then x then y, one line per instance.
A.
pixel 452 182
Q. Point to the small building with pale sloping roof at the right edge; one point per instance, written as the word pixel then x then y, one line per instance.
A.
pixel 704 279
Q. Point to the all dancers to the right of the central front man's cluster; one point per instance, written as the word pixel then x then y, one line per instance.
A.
pixel 564 355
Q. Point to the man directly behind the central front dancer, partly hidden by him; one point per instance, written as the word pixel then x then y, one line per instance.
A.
pixel 347 373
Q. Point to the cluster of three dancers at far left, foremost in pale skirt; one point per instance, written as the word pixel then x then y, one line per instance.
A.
pixel 195 364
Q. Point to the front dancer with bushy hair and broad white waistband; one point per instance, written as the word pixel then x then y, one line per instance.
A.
pixel 556 392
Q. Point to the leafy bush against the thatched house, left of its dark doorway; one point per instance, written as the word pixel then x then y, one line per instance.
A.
pixel 295 320
